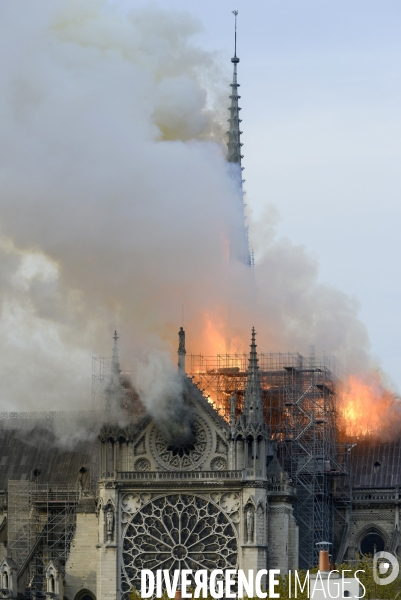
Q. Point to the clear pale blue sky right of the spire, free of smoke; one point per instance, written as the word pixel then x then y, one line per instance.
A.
pixel 321 97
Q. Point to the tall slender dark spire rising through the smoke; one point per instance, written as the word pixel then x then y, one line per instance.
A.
pixel 239 247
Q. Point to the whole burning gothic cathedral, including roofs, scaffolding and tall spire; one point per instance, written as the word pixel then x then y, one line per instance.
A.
pixel 247 476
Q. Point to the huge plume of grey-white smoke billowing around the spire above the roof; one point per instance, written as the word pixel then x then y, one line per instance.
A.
pixel 117 207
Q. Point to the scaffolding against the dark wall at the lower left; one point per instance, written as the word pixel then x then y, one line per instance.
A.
pixel 41 524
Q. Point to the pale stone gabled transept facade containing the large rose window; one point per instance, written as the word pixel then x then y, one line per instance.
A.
pixel 211 504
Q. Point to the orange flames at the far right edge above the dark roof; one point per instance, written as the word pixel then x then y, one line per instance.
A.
pixel 368 408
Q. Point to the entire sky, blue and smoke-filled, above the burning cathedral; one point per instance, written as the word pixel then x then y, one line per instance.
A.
pixel 117 205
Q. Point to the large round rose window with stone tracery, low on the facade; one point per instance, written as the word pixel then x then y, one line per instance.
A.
pixel 179 531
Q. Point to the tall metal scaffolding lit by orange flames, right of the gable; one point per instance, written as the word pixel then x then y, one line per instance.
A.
pixel 299 399
